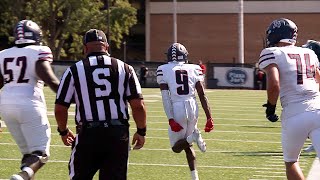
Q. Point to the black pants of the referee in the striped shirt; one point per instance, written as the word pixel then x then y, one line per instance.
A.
pixel 103 149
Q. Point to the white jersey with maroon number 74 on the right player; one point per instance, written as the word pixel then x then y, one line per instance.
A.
pixel 297 72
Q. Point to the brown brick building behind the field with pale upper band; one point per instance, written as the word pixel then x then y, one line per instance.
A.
pixel 209 29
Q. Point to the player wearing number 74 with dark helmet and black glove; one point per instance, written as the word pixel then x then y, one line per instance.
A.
pixel 292 73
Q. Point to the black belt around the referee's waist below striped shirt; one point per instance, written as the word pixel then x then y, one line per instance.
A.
pixel 105 124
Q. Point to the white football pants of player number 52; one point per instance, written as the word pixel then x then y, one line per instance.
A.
pixel 29 127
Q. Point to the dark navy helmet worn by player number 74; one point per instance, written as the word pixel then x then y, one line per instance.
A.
pixel 281 30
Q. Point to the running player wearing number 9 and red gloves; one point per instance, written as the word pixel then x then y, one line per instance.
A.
pixel 179 82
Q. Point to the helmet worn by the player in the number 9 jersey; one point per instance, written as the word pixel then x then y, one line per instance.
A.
pixel 177 53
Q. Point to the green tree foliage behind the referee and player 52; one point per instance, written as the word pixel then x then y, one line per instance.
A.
pixel 64 22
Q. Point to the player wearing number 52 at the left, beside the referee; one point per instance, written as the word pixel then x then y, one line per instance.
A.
pixel 24 69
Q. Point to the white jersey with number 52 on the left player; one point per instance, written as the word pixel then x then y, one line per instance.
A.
pixel 17 66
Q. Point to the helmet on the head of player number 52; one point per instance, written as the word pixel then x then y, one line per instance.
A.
pixel 27 32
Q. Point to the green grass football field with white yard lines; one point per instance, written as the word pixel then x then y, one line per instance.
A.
pixel 243 146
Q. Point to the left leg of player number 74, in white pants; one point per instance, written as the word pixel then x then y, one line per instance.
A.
pixel 294 134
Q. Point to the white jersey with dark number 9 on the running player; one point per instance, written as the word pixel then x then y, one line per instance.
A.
pixel 181 79
